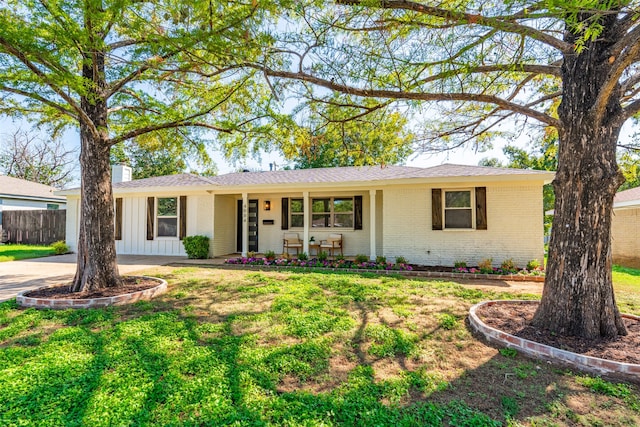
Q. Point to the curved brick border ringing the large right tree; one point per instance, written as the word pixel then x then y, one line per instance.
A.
pixel 594 365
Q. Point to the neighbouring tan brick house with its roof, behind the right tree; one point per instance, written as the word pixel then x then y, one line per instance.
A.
pixel 625 228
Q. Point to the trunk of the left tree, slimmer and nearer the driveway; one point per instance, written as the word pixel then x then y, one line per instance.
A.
pixel 97 267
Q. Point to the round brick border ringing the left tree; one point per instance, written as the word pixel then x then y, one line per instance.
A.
pixel 146 294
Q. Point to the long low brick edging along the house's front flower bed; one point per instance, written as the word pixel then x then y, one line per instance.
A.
pixel 407 273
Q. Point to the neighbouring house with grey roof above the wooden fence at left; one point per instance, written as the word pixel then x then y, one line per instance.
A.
pixel 20 194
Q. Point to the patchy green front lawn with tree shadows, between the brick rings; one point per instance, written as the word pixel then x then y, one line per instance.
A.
pixel 236 348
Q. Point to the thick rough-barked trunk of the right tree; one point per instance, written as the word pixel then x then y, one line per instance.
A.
pixel 578 296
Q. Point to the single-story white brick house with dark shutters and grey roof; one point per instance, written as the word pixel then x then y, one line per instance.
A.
pixel 430 216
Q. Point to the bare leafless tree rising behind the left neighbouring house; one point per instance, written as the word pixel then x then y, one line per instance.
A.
pixel 24 155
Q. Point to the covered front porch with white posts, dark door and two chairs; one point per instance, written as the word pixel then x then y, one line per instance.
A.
pixel 257 221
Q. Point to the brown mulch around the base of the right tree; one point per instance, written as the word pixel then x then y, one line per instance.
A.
pixel 514 319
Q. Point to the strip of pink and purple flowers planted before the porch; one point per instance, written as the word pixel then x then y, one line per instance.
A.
pixel 314 263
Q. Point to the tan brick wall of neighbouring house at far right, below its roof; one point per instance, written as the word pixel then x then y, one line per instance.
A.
pixel 625 237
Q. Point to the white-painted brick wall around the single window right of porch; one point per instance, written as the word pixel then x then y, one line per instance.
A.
pixel 515 227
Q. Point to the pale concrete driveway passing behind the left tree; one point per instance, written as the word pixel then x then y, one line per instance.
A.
pixel 18 276
